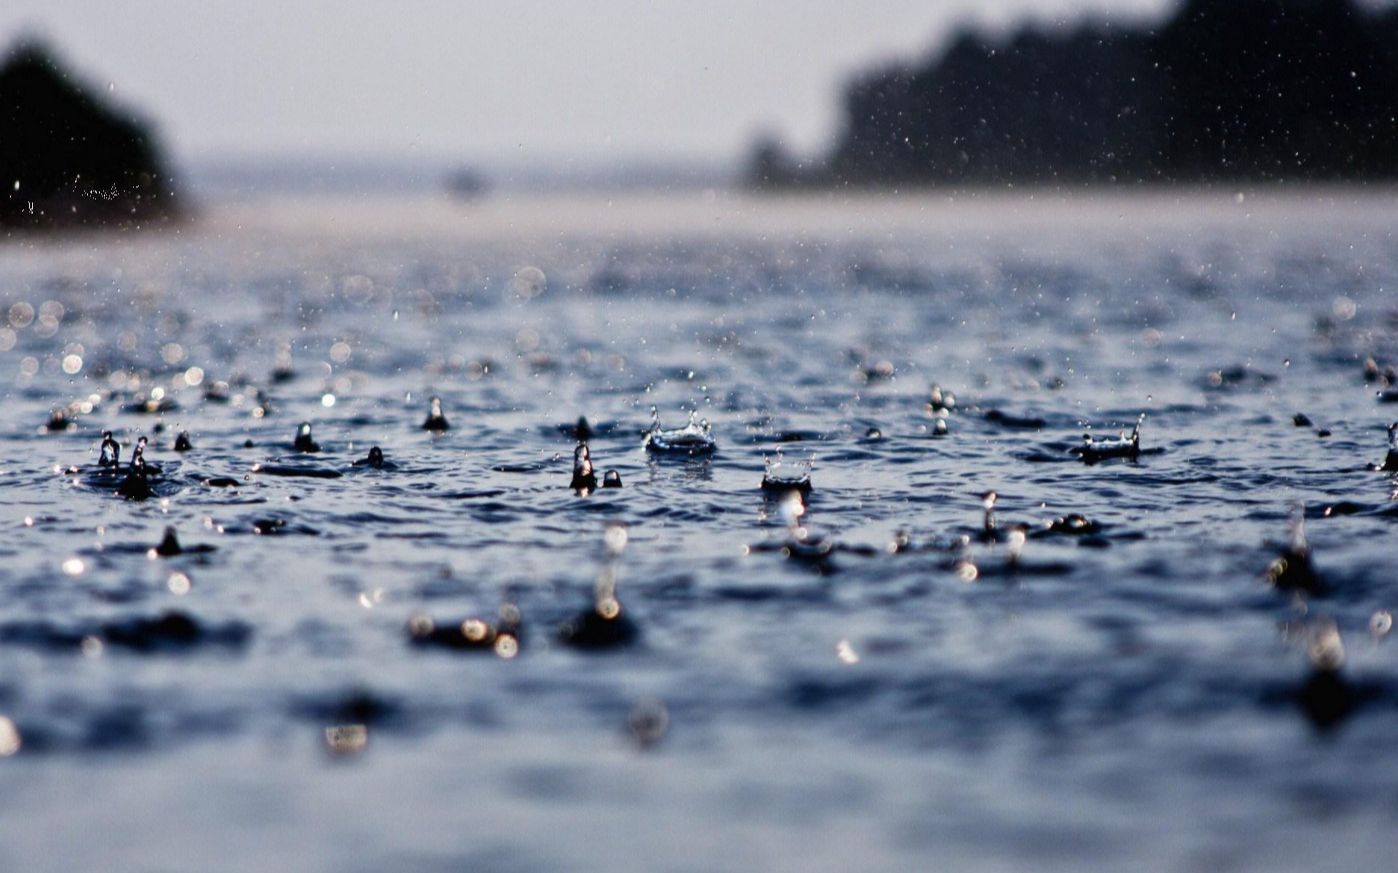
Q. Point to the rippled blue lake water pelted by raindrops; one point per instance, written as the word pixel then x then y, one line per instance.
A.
pixel 1139 696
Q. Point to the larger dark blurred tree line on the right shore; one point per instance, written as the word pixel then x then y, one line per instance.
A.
pixel 1224 90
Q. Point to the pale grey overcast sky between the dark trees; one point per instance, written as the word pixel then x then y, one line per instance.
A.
pixel 517 79
